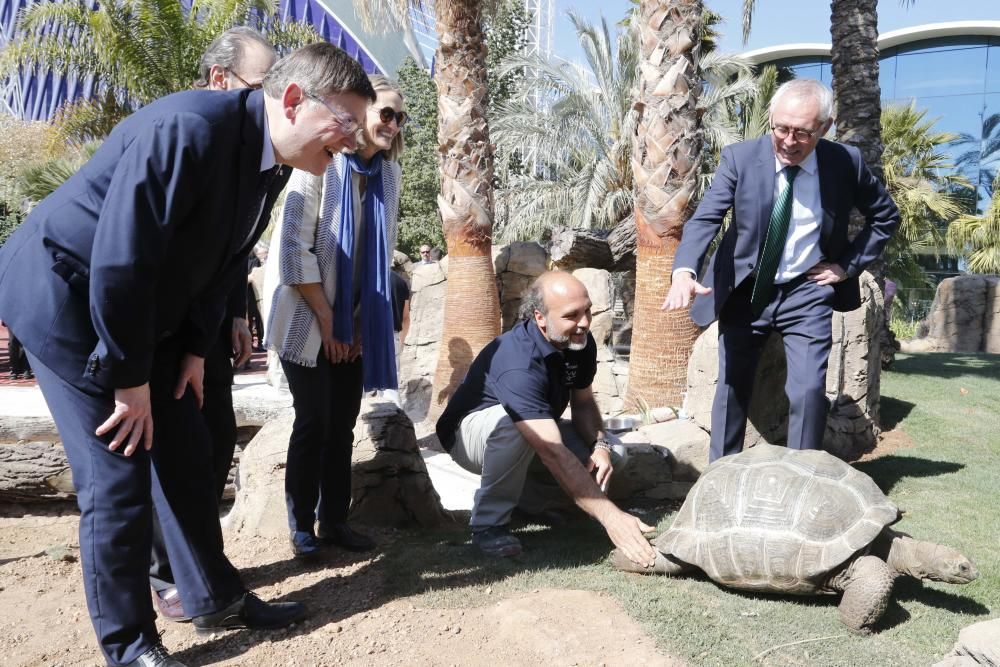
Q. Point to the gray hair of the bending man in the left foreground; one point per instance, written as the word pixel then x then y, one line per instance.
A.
pixel 321 69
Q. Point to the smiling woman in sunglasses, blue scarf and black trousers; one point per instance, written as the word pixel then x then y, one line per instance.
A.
pixel 330 320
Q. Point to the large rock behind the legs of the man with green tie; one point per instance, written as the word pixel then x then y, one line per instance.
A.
pixel 852 382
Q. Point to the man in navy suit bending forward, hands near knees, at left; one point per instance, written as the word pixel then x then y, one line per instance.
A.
pixel 116 283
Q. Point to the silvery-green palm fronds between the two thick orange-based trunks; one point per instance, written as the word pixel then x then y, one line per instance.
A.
pixel 573 128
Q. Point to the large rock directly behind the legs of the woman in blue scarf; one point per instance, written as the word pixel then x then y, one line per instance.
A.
pixel 390 484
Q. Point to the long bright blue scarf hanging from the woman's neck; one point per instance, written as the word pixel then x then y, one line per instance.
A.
pixel 377 344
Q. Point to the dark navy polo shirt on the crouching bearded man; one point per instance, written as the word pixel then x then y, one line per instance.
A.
pixel 523 372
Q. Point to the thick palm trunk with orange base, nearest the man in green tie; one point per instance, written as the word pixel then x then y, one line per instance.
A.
pixel 665 163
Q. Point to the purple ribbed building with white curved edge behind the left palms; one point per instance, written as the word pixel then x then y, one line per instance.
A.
pixel 37 96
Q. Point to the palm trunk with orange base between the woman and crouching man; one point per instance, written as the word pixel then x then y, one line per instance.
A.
pixel 472 309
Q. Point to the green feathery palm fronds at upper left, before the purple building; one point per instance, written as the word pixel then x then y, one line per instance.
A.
pixel 135 50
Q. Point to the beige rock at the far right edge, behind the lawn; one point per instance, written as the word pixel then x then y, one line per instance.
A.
pixel 965 317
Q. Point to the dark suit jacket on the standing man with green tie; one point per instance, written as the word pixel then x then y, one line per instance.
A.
pixel 744 183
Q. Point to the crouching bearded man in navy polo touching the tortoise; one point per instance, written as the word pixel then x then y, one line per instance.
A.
pixel 507 410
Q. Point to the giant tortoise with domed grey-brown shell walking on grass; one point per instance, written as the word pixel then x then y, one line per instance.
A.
pixel 780 520
